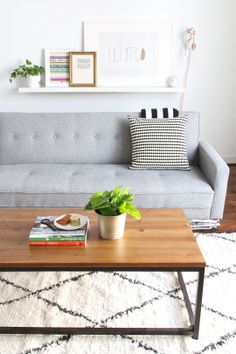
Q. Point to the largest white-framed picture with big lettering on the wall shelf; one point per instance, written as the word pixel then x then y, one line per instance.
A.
pixel 130 54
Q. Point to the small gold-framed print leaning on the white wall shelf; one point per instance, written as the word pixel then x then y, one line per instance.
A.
pixel 82 69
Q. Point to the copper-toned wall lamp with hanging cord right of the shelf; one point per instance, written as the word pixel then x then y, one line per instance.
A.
pixel 190 47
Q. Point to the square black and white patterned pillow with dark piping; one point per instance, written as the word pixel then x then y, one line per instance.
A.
pixel 158 143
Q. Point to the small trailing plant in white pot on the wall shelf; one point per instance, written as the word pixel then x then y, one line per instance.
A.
pixel 32 73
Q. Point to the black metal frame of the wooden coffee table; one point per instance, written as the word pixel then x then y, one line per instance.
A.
pixel 194 316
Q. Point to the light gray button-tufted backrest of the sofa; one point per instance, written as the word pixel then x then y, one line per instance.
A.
pixel 27 138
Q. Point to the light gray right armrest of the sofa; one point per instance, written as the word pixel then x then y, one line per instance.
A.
pixel 216 171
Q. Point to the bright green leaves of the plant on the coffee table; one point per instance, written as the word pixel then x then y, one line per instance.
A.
pixel 111 203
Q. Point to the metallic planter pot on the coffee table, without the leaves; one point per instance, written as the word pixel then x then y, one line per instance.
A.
pixel 111 227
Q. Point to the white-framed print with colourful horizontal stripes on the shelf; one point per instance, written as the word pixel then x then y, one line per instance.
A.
pixel 57 67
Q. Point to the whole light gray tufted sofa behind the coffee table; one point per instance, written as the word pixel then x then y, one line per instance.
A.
pixel 59 159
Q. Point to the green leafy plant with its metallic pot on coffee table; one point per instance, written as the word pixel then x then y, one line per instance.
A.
pixel 111 208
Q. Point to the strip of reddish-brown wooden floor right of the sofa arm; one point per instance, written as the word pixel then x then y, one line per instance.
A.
pixel 228 224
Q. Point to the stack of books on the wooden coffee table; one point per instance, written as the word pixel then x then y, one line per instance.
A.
pixel 43 235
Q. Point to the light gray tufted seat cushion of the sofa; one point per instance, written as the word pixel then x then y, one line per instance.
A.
pixel 56 185
